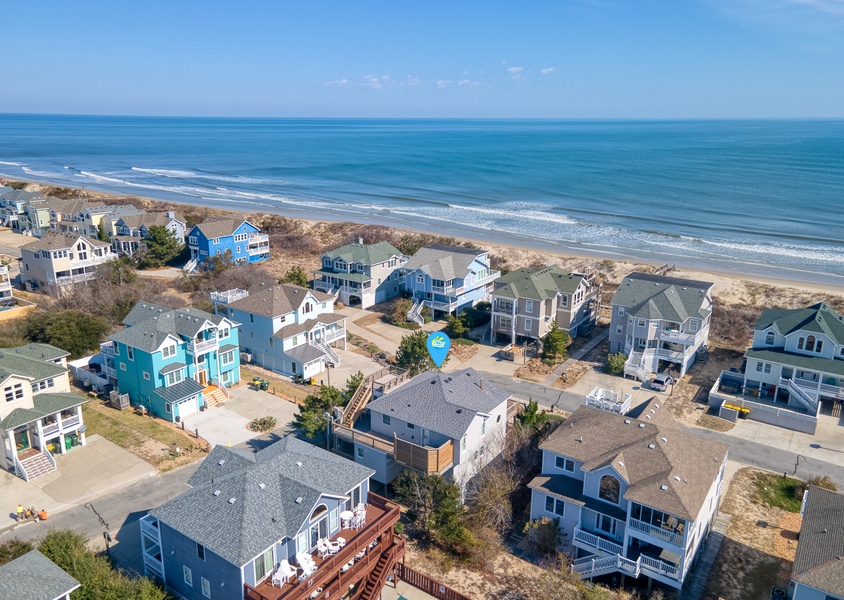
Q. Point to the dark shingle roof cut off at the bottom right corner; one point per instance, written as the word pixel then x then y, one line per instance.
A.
pixel 819 560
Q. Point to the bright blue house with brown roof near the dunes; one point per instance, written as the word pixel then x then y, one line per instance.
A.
pixel 243 242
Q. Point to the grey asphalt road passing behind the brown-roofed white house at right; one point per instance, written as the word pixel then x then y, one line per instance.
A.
pixel 741 450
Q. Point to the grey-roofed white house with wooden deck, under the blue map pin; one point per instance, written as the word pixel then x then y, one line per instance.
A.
pixel 451 424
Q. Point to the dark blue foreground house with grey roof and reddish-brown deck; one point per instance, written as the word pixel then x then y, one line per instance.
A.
pixel 247 512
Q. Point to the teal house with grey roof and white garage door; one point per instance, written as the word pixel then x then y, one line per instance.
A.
pixel 174 362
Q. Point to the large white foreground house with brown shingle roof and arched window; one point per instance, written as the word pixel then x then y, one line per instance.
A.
pixel 632 494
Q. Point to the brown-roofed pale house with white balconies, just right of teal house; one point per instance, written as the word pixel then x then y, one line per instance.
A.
pixel 286 328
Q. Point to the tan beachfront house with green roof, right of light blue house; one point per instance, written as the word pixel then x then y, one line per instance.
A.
pixel 526 303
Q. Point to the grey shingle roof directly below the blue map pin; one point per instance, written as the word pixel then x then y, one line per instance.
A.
pixel 443 402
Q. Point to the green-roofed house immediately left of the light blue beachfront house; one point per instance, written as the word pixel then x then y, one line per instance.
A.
pixel 361 274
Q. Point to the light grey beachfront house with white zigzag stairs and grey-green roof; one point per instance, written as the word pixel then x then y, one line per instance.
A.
pixel 660 322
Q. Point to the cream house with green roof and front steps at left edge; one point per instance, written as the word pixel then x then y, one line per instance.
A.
pixel 39 415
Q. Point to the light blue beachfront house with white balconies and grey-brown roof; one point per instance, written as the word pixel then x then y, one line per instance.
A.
pixel 447 279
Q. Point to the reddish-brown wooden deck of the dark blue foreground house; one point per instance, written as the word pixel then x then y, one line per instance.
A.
pixel 381 516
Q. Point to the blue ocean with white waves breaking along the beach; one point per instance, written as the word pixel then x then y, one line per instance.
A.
pixel 737 196
